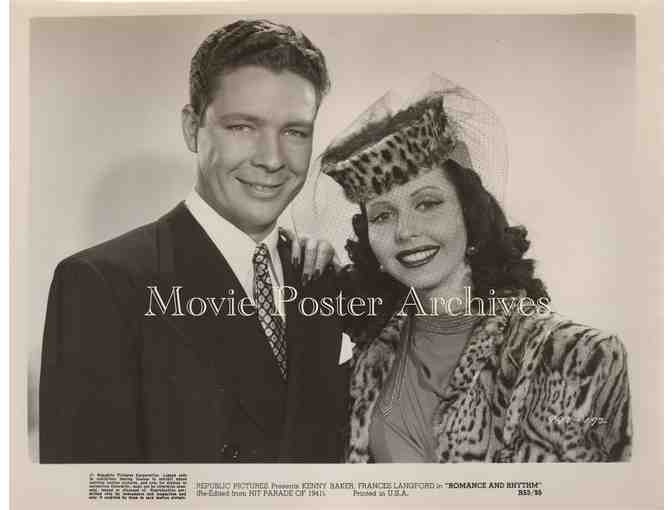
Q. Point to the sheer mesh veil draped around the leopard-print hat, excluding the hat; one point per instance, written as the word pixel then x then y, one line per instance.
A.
pixel 324 211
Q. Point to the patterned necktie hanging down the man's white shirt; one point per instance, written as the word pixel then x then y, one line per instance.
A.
pixel 271 321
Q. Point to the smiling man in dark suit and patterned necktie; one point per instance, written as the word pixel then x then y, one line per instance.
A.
pixel 150 354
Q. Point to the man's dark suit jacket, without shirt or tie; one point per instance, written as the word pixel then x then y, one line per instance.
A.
pixel 117 386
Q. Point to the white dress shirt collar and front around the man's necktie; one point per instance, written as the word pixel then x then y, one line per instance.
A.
pixel 237 247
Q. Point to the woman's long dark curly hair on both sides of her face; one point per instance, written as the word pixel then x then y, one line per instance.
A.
pixel 496 261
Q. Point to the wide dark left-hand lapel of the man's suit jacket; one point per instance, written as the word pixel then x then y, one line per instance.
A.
pixel 232 344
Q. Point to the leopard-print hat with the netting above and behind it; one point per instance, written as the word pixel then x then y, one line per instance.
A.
pixel 388 146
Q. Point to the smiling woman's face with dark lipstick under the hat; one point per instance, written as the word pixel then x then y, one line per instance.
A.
pixel 417 233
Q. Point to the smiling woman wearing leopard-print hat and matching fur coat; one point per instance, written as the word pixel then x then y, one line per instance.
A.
pixel 469 363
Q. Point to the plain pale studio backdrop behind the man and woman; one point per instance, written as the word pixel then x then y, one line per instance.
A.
pixel 107 152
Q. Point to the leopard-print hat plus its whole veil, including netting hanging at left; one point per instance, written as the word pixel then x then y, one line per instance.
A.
pixel 380 149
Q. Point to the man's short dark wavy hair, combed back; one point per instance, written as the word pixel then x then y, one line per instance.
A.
pixel 254 42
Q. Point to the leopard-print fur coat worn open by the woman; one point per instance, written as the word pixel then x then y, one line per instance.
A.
pixel 526 389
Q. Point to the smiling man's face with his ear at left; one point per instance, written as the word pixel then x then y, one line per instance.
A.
pixel 253 145
